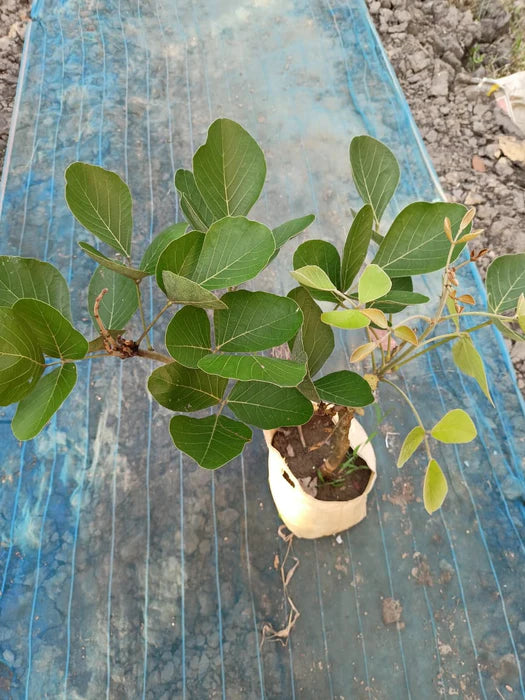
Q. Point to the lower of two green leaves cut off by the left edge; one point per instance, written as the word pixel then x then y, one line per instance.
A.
pixel 21 360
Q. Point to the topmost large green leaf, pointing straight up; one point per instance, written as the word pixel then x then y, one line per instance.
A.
pixel 229 169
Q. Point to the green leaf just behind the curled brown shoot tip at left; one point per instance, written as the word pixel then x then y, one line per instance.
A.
pixel 119 304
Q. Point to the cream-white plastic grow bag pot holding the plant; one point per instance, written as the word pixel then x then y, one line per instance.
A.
pixel 303 514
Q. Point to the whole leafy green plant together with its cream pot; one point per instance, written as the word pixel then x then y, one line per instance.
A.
pixel 246 352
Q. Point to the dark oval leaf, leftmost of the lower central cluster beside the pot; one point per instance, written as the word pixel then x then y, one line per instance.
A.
pixel 184 389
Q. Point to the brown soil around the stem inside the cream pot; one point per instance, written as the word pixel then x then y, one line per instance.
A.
pixel 305 462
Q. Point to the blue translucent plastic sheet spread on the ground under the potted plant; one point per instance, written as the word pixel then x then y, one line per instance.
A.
pixel 125 570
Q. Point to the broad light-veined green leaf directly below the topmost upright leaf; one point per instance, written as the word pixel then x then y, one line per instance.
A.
pixel 235 250
